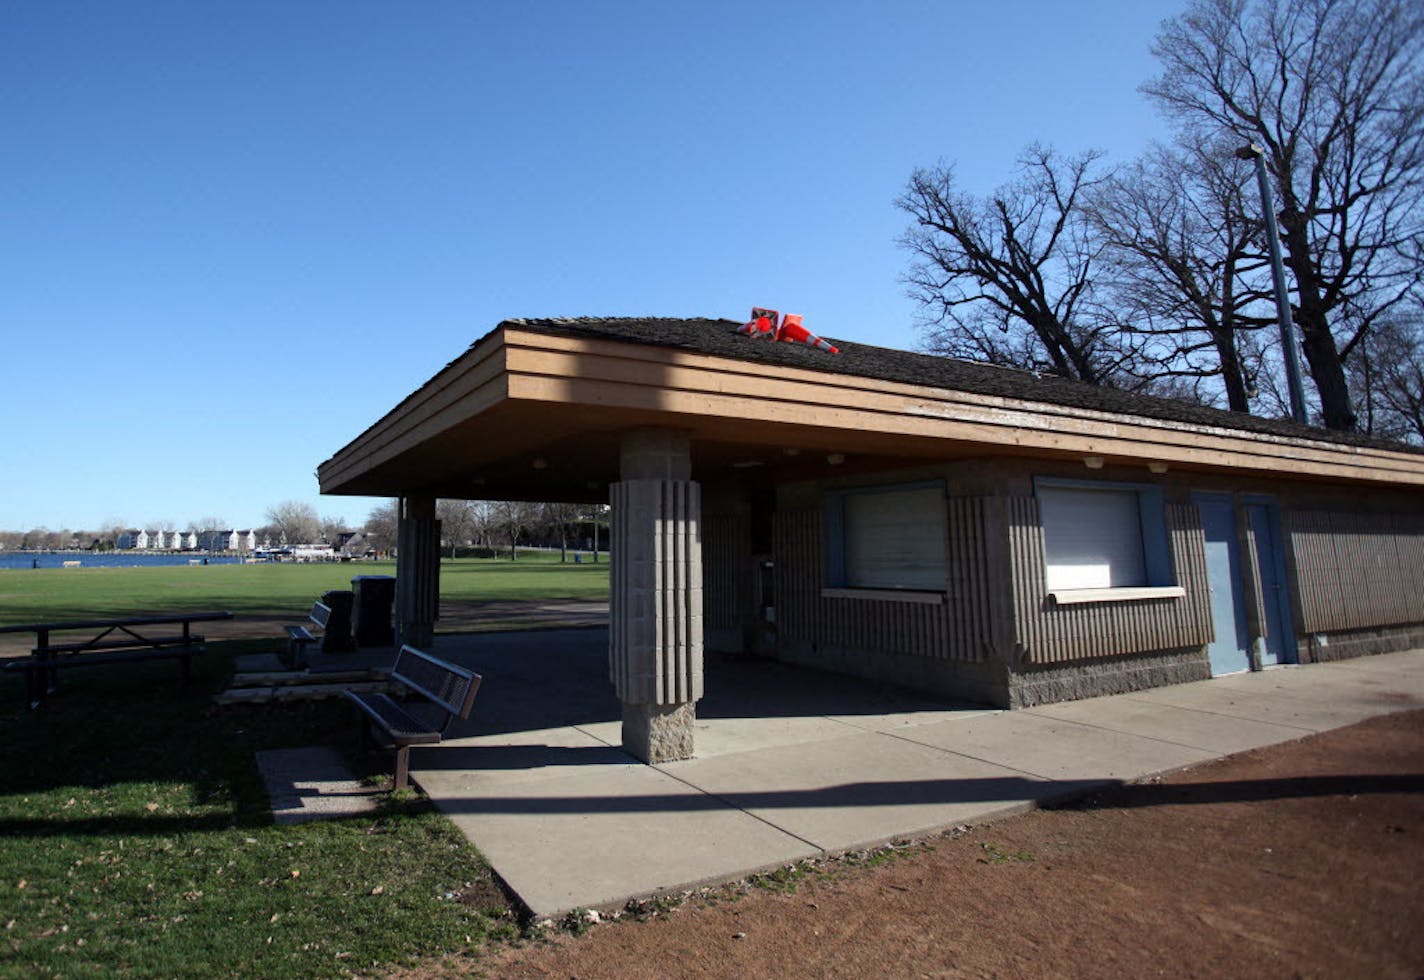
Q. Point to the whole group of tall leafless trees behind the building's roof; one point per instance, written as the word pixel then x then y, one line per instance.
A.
pixel 1156 276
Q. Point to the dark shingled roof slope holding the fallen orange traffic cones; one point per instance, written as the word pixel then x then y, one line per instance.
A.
pixel 721 340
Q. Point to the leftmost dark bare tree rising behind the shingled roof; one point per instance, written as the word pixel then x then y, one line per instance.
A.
pixel 1010 278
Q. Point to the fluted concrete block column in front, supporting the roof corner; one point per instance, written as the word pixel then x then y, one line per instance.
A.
pixel 656 632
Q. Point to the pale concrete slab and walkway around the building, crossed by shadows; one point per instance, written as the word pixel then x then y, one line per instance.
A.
pixel 794 764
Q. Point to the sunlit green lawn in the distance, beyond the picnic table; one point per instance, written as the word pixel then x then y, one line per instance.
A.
pixel 277 590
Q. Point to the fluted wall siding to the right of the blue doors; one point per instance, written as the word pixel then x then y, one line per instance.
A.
pixel 1356 572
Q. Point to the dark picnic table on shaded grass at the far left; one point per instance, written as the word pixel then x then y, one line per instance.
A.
pixel 112 642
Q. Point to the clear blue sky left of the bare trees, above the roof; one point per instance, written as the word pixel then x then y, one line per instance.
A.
pixel 236 234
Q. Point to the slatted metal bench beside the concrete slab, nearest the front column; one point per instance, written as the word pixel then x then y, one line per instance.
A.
pixel 448 687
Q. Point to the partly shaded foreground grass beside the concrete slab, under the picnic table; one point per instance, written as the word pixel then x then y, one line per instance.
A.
pixel 139 843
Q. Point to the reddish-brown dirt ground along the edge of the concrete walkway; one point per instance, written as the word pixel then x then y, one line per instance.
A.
pixel 1297 861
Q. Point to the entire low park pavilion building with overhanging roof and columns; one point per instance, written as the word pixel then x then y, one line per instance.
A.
pixel 955 528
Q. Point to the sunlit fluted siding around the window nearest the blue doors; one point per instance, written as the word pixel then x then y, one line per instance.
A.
pixel 1054 635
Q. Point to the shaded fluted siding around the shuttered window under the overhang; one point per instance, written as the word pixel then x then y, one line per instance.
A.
pixel 953 630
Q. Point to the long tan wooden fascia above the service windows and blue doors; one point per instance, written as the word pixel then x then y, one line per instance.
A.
pixel 604 372
